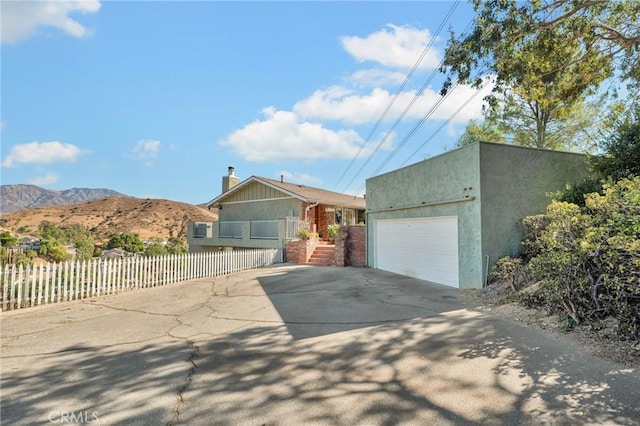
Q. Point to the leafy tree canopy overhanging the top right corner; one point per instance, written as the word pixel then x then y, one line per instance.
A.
pixel 517 41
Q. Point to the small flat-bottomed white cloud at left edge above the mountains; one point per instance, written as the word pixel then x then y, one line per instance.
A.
pixel 42 153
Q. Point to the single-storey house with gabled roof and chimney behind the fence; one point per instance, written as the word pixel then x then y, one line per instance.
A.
pixel 265 213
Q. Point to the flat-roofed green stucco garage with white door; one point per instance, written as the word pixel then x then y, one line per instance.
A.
pixel 448 219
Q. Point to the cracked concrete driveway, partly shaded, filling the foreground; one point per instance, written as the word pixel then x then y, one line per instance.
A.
pixel 298 345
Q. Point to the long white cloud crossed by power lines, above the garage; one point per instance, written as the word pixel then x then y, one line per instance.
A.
pixel 340 104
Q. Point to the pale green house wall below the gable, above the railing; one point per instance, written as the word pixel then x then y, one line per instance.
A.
pixel 260 210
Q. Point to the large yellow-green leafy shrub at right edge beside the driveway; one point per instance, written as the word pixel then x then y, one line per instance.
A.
pixel 588 260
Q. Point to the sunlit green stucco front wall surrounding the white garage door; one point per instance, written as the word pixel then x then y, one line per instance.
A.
pixel 452 176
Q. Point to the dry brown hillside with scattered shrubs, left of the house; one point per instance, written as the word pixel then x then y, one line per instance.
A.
pixel 147 217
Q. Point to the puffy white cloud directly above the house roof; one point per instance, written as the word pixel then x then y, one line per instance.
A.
pixel 282 136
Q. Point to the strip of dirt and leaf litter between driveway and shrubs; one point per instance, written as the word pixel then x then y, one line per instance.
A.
pixel 602 343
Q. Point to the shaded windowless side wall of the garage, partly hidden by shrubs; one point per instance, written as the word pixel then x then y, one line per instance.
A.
pixel 514 181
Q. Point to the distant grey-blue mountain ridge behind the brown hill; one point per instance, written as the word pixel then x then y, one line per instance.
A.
pixel 20 197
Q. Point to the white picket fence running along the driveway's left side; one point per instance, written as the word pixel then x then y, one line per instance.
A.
pixel 23 287
